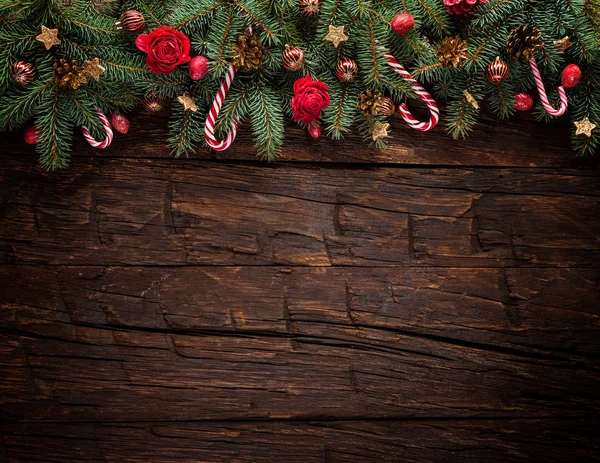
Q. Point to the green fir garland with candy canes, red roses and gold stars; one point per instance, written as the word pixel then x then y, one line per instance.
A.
pixel 331 65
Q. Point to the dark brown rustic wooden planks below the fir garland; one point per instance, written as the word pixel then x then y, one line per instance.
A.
pixel 437 301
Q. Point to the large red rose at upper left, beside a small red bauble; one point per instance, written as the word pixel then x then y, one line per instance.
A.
pixel 166 48
